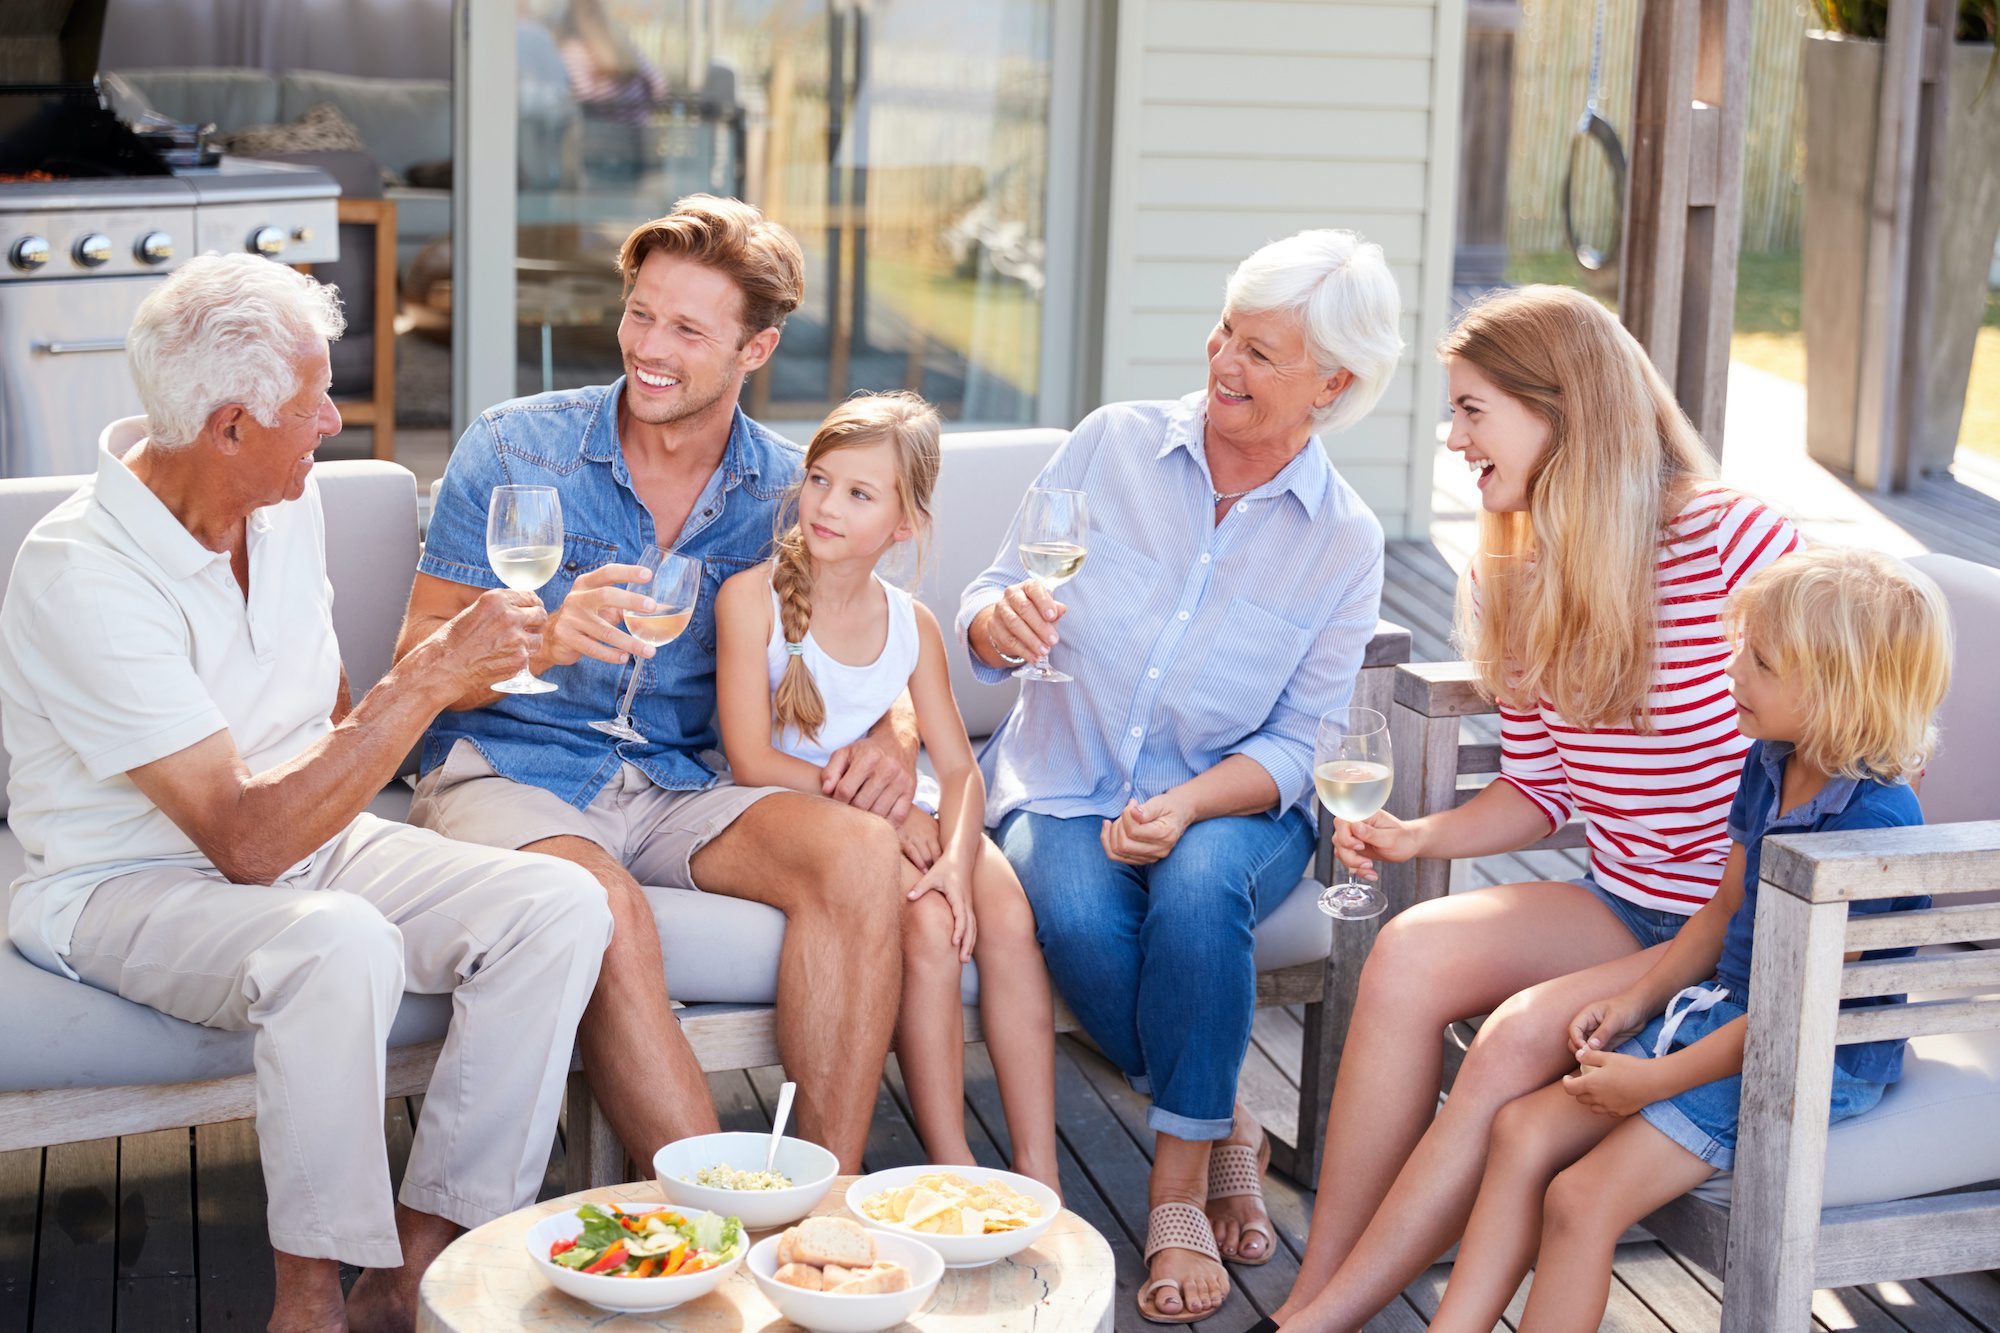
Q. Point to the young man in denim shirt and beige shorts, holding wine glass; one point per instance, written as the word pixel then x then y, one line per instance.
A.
pixel 665 455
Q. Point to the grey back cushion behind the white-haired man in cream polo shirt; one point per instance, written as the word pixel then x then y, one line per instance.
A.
pixel 371 555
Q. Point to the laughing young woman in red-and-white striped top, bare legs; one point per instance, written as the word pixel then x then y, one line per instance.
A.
pixel 1593 615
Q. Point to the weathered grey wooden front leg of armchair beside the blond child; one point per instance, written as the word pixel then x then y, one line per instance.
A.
pixel 1789 1078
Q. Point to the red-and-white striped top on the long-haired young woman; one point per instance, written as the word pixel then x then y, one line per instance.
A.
pixel 1655 806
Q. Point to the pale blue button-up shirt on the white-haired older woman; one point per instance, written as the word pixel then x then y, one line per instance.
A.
pixel 1189 639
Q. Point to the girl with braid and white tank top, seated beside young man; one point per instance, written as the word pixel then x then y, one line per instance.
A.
pixel 813 649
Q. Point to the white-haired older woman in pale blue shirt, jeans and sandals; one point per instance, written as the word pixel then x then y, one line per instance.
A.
pixel 1161 804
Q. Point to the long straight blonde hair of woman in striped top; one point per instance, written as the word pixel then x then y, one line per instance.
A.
pixel 1569 589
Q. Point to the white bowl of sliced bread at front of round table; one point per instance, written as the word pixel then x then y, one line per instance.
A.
pixel 835 1276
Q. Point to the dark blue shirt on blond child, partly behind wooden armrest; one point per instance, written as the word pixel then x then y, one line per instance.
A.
pixel 1843 804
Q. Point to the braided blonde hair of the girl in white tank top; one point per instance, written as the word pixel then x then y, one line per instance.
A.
pixel 867 419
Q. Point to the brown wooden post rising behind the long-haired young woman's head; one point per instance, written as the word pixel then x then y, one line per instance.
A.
pixel 1677 283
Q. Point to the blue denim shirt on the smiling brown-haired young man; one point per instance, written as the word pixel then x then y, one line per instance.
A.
pixel 571 441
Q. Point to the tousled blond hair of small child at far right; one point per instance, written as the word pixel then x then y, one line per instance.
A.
pixel 1867 641
